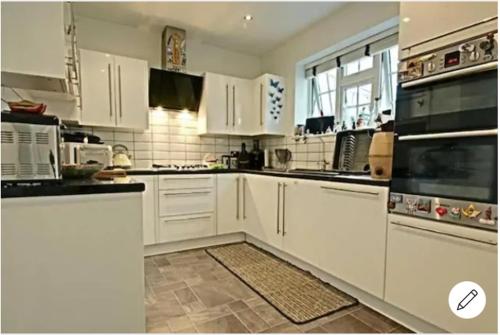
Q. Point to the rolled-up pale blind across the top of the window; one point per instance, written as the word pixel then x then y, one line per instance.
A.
pixel 366 47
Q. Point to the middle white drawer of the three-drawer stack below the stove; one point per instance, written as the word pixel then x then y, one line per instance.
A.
pixel 181 202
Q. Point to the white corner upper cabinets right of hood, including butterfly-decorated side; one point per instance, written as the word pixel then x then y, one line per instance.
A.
pixel 235 106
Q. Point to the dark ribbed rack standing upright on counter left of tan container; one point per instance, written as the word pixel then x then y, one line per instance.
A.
pixel 351 151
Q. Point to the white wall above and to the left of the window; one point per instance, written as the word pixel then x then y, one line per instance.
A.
pixel 350 24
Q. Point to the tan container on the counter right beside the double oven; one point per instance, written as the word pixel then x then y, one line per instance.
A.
pixel 380 155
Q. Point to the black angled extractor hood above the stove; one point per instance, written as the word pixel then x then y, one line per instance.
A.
pixel 174 90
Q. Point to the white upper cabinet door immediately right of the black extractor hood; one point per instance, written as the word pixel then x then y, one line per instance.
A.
pixel 215 114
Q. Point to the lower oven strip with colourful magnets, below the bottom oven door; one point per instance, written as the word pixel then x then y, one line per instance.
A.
pixel 461 212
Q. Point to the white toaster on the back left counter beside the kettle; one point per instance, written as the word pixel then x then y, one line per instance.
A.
pixel 83 153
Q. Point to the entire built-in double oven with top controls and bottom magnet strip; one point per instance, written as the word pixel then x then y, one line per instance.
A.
pixel 445 149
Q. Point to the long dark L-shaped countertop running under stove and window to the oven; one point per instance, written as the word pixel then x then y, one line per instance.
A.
pixel 351 179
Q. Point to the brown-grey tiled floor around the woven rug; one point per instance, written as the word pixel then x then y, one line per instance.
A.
pixel 189 292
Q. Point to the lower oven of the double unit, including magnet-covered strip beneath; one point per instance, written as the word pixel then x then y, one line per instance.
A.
pixel 450 177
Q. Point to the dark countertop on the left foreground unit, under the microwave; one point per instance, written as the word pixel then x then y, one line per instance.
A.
pixel 73 187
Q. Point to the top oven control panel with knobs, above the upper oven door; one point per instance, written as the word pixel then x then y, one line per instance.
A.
pixel 468 53
